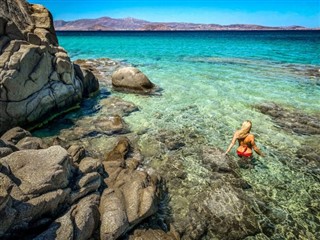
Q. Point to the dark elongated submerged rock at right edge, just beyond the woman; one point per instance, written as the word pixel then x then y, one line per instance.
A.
pixel 291 121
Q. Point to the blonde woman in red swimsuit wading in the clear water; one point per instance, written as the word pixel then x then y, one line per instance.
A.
pixel 246 141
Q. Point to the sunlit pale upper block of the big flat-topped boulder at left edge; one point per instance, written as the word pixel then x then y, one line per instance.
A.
pixel 55 165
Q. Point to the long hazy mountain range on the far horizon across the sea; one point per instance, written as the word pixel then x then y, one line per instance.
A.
pixel 127 24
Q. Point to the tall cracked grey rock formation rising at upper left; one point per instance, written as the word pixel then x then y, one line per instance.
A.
pixel 37 78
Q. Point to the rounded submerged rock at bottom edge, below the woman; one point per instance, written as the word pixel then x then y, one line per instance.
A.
pixel 225 212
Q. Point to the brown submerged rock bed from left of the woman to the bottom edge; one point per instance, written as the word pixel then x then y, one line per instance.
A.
pixel 207 195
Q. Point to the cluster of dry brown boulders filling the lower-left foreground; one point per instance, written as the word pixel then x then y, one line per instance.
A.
pixel 53 193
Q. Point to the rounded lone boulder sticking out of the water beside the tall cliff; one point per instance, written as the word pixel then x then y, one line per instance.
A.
pixel 131 79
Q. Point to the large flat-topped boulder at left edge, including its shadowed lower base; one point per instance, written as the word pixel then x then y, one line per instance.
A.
pixel 34 183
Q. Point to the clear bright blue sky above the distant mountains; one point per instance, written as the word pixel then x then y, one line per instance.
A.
pixel 264 12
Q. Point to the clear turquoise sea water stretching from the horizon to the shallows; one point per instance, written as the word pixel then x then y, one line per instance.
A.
pixel 211 82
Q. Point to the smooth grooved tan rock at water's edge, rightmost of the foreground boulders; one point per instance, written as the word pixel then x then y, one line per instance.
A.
pixel 132 195
